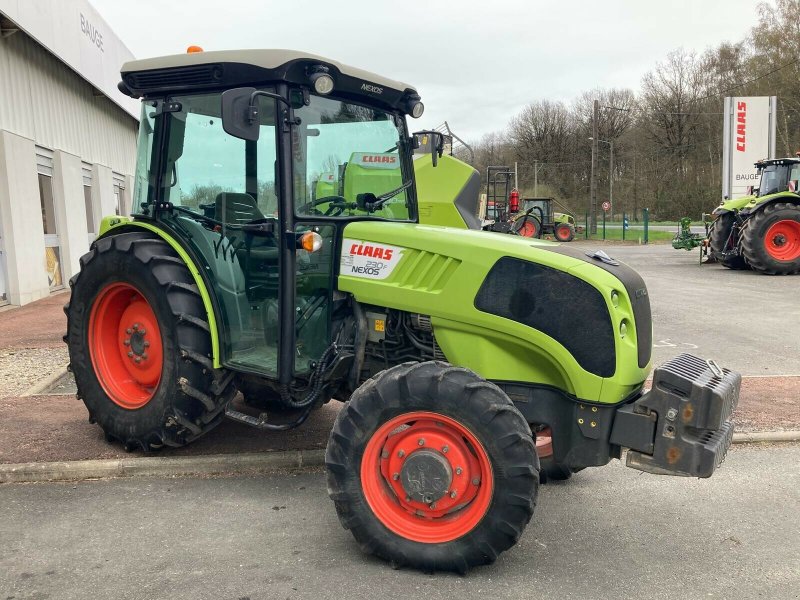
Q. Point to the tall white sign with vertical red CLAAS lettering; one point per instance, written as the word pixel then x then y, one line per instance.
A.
pixel 748 136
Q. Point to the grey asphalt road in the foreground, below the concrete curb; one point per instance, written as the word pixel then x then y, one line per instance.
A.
pixel 609 532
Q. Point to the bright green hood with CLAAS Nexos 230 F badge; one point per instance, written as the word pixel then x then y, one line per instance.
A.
pixel 503 285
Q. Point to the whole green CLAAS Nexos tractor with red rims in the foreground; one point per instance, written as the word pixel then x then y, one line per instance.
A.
pixel 452 349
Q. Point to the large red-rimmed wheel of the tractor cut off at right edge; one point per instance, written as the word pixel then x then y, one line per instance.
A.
pixel 771 239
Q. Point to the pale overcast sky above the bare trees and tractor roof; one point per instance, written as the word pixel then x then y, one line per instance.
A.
pixel 475 63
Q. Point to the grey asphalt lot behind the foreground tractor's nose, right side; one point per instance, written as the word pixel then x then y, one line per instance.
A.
pixel 743 320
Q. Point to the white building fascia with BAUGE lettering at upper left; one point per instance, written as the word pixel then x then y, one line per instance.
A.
pixel 78 36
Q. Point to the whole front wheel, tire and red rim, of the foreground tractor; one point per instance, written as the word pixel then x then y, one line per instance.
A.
pixel 432 467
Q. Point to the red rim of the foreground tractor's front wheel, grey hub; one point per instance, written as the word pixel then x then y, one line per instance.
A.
pixel 468 493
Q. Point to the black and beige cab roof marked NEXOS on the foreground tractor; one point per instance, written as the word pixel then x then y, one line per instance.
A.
pixel 225 69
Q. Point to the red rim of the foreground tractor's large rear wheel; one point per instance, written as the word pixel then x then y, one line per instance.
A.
pixel 125 345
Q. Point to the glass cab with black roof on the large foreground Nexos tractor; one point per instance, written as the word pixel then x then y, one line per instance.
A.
pixel 257 180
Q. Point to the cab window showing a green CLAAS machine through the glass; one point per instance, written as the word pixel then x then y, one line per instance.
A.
pixel 348 161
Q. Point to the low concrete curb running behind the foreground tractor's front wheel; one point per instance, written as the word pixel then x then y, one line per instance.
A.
pixel 216 464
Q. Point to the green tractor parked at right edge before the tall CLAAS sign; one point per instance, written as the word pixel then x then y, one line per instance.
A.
pixel 761 231
